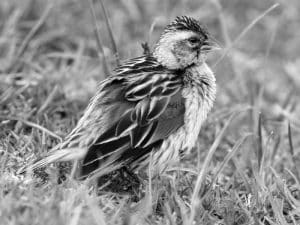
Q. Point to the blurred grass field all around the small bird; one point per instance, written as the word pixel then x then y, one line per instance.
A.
pixel 245 168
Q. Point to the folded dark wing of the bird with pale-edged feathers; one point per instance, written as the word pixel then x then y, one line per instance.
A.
pixel 147 108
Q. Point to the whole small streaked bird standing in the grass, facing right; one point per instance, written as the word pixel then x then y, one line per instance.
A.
pixel 150 110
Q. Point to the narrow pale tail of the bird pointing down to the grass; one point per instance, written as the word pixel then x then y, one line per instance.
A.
pixel 59 155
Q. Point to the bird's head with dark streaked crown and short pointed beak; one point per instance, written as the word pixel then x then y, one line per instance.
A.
pixel 183 43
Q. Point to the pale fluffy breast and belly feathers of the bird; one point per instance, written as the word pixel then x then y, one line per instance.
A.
pixel 199 93
